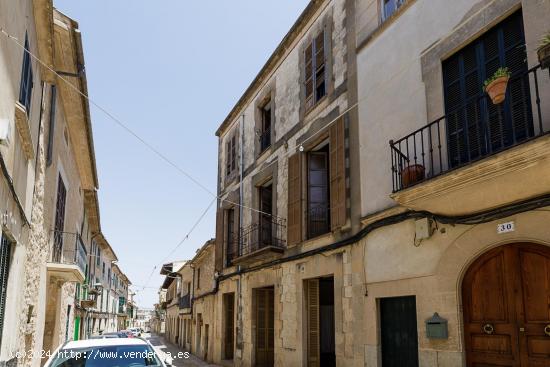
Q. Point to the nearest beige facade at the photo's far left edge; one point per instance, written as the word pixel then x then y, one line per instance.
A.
pixel 23 246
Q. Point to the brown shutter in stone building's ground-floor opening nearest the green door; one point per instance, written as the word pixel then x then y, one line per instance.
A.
pixel 313 348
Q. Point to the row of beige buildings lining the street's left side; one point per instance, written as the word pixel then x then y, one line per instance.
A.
pixel 50 225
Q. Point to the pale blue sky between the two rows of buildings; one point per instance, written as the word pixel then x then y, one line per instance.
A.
pixel 171 70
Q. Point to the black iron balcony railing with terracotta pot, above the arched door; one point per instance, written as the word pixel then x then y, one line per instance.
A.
pixel 472 131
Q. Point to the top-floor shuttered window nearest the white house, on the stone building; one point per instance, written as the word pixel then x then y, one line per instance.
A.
pixel 315 71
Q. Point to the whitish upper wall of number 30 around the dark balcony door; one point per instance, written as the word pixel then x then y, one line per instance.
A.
pixel 400 78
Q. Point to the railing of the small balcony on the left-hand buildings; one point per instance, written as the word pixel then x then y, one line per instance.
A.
pixel 68 248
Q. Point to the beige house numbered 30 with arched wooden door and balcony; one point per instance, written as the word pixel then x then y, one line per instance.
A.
pixel 456 205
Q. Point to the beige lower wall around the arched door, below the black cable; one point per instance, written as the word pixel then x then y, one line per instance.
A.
pixel 432 271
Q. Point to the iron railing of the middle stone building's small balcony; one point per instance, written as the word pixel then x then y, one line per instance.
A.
pixel 267 232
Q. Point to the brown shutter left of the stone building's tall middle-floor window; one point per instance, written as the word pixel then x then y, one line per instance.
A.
pixel 294 234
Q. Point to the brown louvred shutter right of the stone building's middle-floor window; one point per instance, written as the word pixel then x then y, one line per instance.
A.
pixel 337 175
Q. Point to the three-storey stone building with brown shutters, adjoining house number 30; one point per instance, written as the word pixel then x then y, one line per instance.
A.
pixel 289 283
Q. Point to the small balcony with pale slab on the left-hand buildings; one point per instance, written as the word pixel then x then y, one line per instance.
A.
pixel 68 258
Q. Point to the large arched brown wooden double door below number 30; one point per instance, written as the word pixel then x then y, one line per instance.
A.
pixel 506 303
